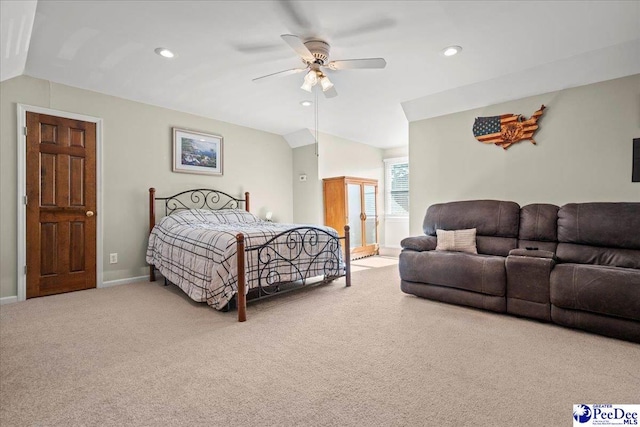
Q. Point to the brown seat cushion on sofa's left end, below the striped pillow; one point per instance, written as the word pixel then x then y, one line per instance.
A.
pixel 478 273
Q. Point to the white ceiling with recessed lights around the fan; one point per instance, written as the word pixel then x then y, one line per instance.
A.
pixel 511 49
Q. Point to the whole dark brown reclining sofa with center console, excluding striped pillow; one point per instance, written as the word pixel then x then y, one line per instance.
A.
pixel 576 266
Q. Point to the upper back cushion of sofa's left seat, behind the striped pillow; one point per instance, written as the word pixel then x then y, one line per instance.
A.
pixel 488 217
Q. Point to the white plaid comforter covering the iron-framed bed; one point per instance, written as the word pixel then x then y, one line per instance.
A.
pixel 196 250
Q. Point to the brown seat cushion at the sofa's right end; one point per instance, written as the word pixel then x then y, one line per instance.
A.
pixel 610 291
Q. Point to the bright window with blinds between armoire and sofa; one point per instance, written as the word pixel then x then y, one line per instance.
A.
pixel 397 186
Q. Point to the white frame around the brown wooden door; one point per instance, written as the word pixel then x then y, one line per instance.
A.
pixel 22 189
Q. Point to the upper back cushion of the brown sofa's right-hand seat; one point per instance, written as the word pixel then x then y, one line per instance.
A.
pixel 600 224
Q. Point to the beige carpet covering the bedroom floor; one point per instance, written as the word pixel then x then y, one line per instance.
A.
pixel 144 355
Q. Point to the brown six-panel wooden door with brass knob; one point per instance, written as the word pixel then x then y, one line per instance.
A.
pixel 61 205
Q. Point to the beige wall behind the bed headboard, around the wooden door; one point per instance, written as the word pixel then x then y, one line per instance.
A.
pixel 136 155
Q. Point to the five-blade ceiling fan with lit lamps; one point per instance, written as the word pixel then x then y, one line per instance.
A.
pixel 315 55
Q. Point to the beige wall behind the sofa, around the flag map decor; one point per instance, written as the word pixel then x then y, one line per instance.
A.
pixel 584 152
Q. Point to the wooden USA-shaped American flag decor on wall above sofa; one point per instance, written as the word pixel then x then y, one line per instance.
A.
pixel 506 129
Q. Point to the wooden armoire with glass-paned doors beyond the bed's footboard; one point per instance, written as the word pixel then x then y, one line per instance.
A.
pixel 353 201
